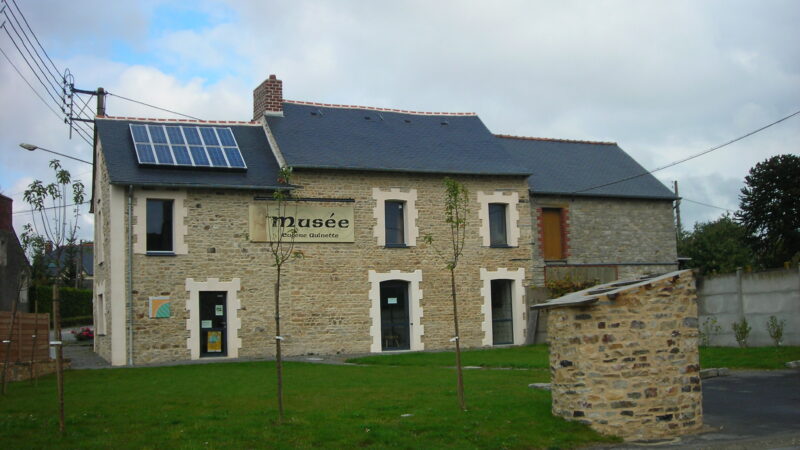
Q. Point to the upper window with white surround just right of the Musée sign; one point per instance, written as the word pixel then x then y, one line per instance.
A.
pixel 395 216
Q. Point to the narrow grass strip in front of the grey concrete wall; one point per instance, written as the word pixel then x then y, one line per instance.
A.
pixel 748 358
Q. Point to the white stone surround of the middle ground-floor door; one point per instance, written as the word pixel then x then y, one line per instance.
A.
pixel 417 330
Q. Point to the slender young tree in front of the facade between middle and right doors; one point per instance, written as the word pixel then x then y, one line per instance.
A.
pixel 455 215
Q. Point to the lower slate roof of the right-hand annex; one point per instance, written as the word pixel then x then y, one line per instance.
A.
pixel 562 167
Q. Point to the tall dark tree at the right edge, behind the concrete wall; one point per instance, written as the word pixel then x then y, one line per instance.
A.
pixel 769 209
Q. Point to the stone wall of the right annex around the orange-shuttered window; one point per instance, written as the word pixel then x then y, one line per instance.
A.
pixel 611 231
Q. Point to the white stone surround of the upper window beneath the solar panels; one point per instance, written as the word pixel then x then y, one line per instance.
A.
pixel 179 227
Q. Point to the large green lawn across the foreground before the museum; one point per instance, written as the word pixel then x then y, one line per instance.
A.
pixel 232 405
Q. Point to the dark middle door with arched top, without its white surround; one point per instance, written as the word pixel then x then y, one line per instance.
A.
pixel 395 327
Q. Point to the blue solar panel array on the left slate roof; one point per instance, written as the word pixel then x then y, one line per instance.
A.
pixel 186 145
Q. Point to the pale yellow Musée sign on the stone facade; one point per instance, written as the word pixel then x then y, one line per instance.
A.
pixel 303 223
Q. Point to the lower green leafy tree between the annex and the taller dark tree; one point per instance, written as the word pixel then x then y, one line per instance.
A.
pixel 717 246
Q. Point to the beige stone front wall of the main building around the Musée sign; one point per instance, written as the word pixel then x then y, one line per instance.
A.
pixel 325 296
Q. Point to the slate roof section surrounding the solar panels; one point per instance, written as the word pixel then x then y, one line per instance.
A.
pixel 123 167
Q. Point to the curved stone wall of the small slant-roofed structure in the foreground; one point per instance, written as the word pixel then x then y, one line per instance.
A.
pixel 629 366
